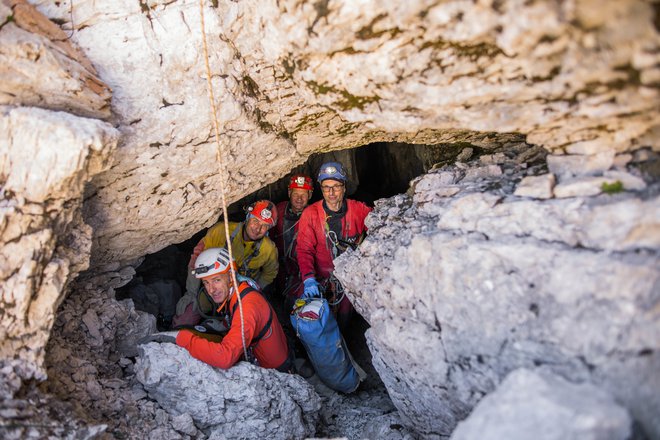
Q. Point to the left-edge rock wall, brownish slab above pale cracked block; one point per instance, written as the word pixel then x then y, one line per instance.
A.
pixel 46 158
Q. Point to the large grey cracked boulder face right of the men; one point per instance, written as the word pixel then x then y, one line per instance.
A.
pixel 463 282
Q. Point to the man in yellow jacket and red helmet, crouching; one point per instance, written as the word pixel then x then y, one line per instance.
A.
pixel 254 252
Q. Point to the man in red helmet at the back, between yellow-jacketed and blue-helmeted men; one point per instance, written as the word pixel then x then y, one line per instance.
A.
pixel 286 234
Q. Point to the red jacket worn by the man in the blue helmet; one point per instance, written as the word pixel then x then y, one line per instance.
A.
pixel 313 249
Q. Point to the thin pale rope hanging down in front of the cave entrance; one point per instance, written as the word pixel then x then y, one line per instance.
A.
pixel 219 156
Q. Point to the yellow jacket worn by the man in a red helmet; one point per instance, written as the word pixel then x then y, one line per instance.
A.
pixel 262 266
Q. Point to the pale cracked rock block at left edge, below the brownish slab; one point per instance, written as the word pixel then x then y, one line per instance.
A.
pixel 46 158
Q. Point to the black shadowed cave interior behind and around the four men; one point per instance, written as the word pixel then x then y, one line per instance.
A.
pixel 375 171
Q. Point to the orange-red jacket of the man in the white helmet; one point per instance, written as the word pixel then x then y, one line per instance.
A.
pixel 271 351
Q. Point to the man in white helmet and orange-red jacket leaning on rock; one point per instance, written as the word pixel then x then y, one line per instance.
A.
pixel 260 329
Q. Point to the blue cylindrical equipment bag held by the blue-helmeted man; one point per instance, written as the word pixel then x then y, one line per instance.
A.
pixel 317 329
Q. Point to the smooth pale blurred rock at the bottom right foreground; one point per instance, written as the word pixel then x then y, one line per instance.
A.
pixel 540 405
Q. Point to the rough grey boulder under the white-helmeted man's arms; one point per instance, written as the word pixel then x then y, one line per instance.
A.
pixel 243 402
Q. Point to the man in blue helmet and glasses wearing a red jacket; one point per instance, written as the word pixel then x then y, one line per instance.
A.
pixel 326 229
